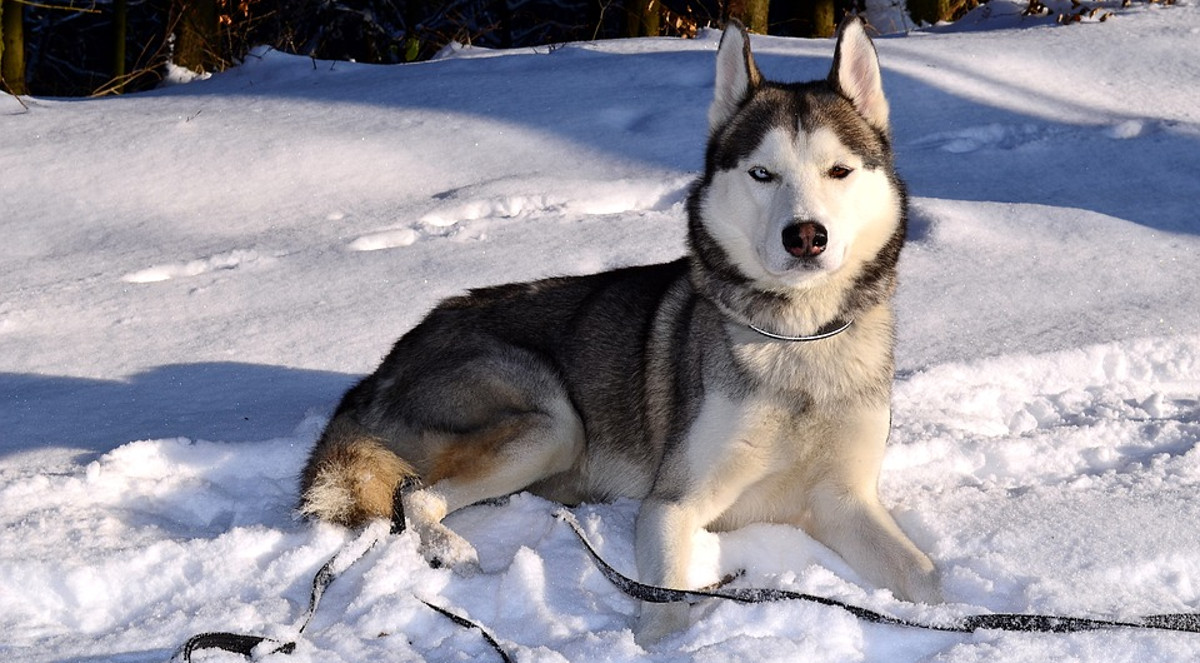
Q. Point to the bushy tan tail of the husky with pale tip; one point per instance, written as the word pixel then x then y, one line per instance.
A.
pixel 351 476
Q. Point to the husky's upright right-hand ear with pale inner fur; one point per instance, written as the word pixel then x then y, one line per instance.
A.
pixel 856 74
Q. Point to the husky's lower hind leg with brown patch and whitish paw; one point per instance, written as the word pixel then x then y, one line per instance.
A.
pixel 501 459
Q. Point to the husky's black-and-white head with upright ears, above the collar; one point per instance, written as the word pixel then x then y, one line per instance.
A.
pixel 799 184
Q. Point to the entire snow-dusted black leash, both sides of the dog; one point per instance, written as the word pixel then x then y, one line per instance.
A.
pixel 254 647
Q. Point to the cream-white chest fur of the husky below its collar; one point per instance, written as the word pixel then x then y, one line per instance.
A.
pixel 819 417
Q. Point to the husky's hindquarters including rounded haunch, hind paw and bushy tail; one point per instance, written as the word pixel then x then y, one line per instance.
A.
pixel 482 421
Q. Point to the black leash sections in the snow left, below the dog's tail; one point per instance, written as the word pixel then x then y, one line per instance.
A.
pixel 256 647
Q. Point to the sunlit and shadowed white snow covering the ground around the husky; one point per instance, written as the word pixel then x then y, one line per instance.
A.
pixel 190 278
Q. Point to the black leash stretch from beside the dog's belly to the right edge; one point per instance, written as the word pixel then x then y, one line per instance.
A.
pixel 1189 623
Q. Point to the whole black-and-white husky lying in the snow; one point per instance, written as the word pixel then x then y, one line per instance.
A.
pixel 749 381
